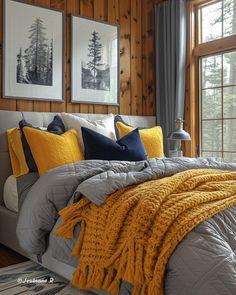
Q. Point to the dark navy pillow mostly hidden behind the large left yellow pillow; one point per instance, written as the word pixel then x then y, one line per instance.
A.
pixel 56 127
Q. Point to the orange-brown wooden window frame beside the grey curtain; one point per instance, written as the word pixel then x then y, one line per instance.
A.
pixel 195 51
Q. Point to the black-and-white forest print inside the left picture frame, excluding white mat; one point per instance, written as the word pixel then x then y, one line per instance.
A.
pixel 35 62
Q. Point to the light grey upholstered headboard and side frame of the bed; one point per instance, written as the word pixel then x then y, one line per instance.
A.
pixel 8 219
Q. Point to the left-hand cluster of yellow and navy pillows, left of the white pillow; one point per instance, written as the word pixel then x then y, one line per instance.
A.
pixel 35 150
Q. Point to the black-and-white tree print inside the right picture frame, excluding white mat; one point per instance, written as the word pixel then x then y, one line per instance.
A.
pixel 95 74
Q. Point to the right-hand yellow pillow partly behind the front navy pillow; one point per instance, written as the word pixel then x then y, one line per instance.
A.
pixel 152 139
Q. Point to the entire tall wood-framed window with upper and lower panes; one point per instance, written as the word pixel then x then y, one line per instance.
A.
pixel 214 82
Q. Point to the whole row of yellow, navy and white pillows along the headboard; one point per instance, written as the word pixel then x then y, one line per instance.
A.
pixel 109 138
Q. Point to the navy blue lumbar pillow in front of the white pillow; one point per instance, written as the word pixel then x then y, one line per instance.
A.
pixel 100 147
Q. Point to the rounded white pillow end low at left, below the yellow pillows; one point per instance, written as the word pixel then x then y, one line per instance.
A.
pixel 10 194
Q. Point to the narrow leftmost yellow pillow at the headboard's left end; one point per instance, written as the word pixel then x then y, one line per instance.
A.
pixel 17 156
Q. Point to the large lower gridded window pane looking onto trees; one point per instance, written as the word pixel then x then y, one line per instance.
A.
pixel 218 105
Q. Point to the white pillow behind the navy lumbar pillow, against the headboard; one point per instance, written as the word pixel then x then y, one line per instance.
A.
pixel 104 126
